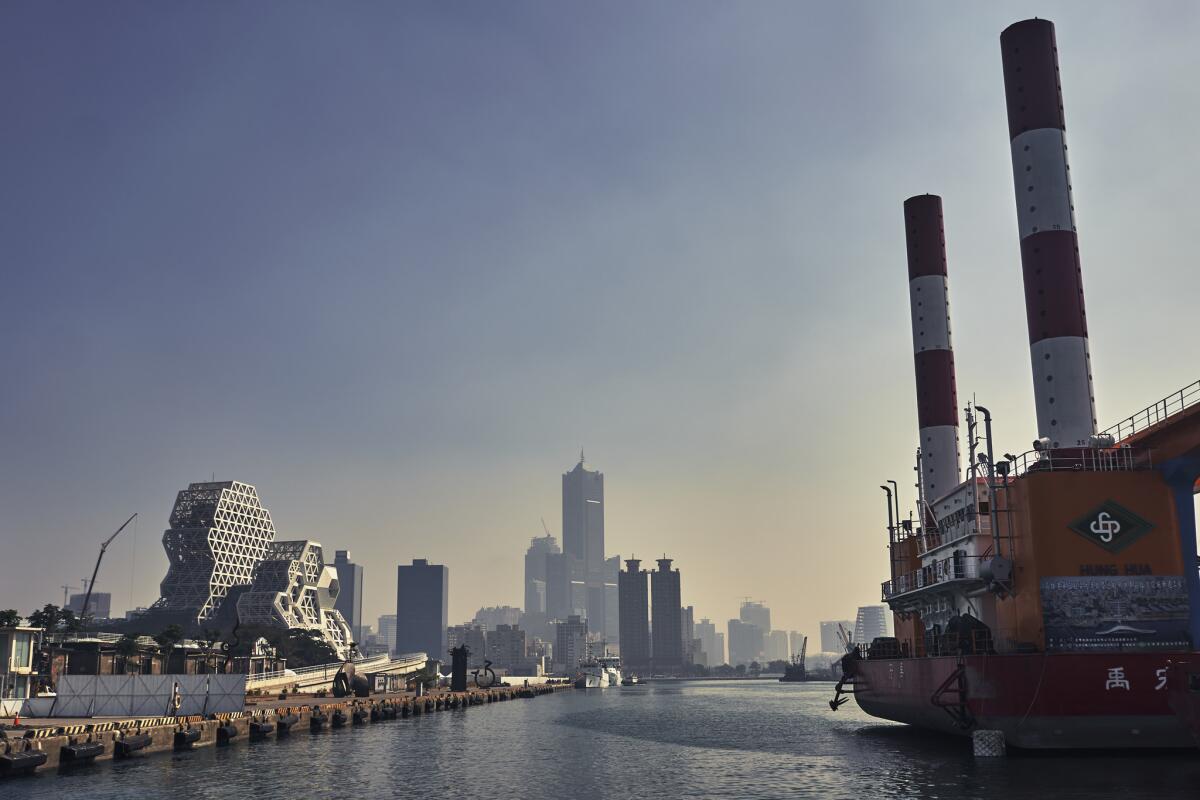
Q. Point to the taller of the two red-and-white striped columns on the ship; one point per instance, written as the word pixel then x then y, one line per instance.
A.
pixel 1046 215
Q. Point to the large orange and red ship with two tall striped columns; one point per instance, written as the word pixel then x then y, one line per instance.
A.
pixel 1051 596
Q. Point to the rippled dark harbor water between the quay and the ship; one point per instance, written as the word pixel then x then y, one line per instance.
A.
pixel 661 741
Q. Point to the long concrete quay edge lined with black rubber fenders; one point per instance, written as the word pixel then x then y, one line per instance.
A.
pixel 47 745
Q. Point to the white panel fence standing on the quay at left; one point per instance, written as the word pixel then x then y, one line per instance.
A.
pixel 136 696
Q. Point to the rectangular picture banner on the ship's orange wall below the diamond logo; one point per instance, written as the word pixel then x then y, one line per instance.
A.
pixel 1115 613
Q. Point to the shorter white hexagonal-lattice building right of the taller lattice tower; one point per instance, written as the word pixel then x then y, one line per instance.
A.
pixel 293 587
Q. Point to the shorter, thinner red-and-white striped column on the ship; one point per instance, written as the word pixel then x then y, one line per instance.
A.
pixel 938 399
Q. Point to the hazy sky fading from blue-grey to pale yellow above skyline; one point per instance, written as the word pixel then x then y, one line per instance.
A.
pixel 395 264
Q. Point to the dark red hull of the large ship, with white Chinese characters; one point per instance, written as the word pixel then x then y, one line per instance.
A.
pixel 1040 701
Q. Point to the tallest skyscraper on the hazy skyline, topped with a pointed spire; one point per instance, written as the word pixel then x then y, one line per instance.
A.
pixel 584 543
